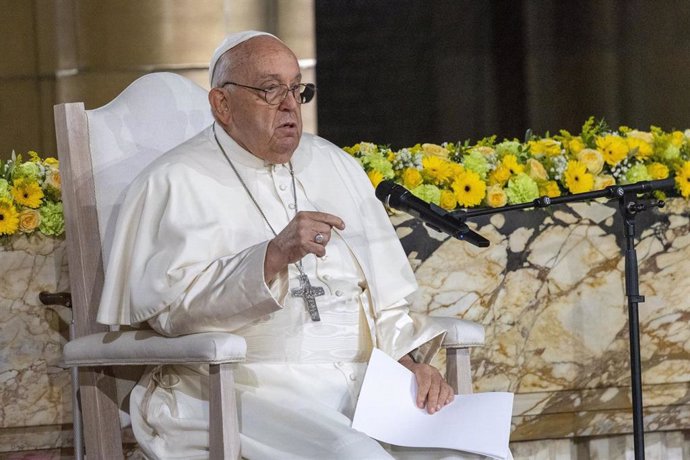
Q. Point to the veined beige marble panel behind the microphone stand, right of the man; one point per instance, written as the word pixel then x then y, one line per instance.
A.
pixel 550 292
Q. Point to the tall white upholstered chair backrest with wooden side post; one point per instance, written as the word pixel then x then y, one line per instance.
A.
pixel 100 152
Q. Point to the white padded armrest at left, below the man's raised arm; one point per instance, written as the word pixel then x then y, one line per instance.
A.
pixel 148 347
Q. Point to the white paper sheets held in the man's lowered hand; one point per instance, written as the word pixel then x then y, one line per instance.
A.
pixel 478 423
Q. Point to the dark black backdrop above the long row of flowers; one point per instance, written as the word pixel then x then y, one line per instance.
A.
pixel 400 72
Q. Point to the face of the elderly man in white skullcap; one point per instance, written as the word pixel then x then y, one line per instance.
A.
pixel 270 132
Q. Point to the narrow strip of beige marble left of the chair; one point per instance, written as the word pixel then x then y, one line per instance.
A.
pixel 34 391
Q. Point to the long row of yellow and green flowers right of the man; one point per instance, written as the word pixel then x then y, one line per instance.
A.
pixel 495 174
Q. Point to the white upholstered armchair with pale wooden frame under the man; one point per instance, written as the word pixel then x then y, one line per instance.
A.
pixel 100 152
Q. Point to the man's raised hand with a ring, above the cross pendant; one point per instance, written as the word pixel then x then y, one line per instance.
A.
pixel 297 240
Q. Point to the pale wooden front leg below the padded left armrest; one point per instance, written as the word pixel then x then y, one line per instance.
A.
pixel 224 436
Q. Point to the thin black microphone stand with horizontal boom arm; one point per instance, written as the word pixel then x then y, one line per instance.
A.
pixel 629 205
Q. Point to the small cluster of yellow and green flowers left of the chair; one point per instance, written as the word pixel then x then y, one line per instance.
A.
pixel 30 194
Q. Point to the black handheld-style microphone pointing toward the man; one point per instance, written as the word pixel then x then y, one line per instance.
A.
pixel 398 197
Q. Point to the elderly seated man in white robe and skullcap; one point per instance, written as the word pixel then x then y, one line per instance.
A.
pixel 259 229
